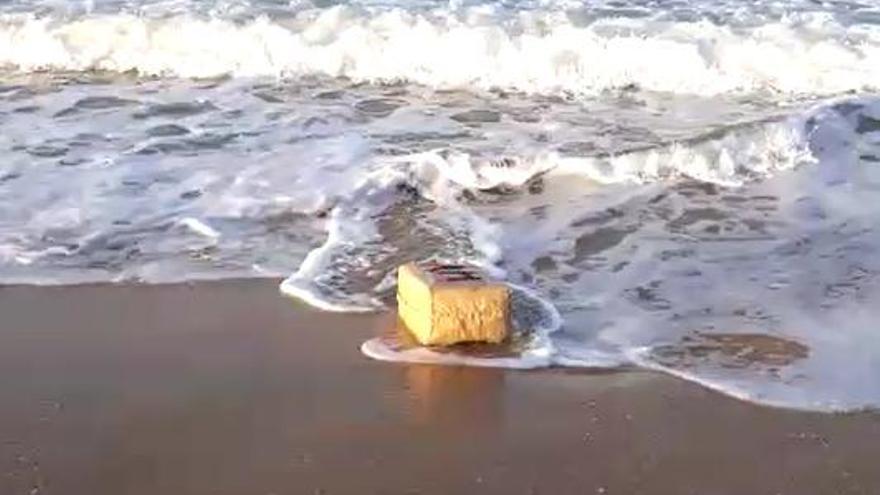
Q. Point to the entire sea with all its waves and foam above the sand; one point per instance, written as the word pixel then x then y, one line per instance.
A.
pixel 683 186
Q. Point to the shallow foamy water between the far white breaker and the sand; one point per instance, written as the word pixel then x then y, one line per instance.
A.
pixel 720 249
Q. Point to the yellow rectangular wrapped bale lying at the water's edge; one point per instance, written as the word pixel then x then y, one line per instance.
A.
pixel 449 304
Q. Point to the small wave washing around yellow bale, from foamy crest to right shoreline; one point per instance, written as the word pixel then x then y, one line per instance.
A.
pixel 730 280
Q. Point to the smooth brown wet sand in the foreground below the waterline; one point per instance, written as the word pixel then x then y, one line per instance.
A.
pixel 229 388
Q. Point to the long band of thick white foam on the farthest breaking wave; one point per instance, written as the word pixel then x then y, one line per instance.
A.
pixel 533 51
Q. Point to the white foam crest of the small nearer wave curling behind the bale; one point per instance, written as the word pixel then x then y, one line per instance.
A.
pixel 441 176
